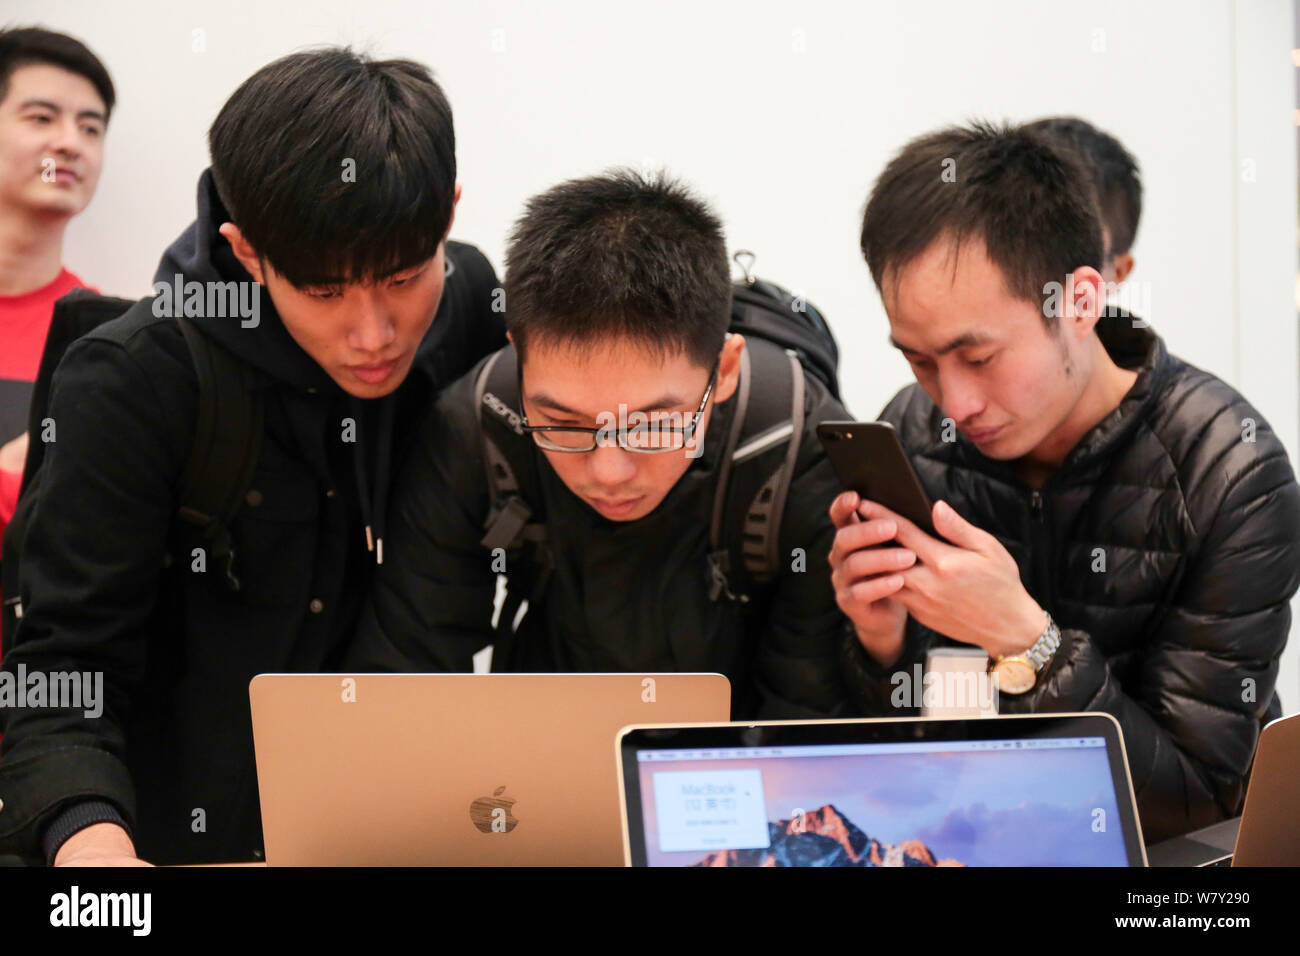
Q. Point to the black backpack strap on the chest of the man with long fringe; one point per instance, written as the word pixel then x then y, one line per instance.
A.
pixel 227 442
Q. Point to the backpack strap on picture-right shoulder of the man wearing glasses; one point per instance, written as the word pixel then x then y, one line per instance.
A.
pixel 757 471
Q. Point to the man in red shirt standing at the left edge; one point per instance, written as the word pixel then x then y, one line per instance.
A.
pixel 55 101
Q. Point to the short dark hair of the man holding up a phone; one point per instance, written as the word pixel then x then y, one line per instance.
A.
pixel 1028 198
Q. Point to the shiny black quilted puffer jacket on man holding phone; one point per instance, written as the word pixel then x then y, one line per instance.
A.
pixel 1167 547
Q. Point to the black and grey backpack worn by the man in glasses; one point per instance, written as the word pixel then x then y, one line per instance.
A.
pixel 787 339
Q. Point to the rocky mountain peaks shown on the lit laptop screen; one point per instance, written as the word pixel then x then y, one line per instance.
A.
pixel 826 838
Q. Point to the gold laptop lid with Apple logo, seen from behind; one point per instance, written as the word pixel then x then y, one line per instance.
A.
pixel 454 769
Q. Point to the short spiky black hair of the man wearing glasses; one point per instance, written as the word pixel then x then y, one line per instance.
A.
pixel 619 256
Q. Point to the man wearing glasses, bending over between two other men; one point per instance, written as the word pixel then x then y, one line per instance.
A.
pixel 618 300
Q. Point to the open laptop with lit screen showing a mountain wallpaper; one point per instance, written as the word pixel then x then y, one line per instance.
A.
pixel 1048 790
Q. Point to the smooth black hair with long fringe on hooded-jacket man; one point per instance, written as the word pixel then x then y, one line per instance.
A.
pixel 337 168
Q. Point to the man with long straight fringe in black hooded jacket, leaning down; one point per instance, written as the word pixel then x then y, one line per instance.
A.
pixel 322 237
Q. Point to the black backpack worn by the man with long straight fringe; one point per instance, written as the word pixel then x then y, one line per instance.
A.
pixel 227 440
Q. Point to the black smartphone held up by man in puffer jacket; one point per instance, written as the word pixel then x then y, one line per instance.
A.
pixel 869 460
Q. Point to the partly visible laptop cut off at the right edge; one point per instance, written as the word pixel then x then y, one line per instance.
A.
pixel 1268 832
